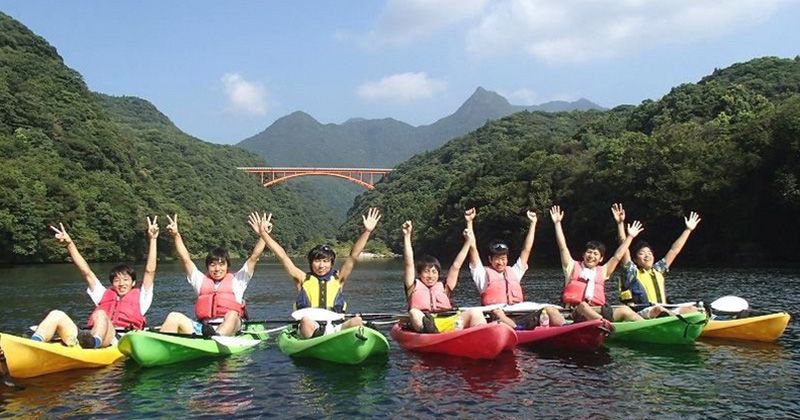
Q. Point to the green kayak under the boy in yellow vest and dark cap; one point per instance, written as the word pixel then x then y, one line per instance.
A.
pixel 351 346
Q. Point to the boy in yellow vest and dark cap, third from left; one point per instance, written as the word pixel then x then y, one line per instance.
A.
pixel 321 286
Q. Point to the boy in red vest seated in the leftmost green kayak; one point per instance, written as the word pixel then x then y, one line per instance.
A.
pixel 220 293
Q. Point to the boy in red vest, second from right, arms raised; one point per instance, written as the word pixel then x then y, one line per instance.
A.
pixel 585 280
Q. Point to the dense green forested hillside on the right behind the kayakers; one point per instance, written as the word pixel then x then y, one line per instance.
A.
pixel 727 147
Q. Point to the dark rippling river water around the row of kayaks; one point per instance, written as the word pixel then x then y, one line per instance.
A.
pixel 708 379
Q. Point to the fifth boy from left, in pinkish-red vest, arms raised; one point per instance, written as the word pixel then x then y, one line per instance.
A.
pixel 500 283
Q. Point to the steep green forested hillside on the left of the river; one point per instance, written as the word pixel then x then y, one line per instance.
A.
pixel 100 164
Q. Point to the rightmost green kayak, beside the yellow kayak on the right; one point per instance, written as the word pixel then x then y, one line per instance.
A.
pixel 679 329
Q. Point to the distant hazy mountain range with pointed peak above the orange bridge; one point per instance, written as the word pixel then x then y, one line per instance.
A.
pixel 299 140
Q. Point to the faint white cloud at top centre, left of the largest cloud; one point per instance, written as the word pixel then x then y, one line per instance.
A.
pixel 404 21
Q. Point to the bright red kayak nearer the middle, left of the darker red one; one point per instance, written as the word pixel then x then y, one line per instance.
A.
pixel 482 342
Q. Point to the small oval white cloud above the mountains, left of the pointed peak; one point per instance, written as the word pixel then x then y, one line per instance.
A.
pixel 402 87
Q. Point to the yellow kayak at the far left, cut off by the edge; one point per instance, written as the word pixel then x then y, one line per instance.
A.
pixel 26 358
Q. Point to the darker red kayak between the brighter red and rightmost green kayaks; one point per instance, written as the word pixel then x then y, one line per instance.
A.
pixel 587 335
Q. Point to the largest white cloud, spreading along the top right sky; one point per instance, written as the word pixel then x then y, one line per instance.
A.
pixel 567 31
